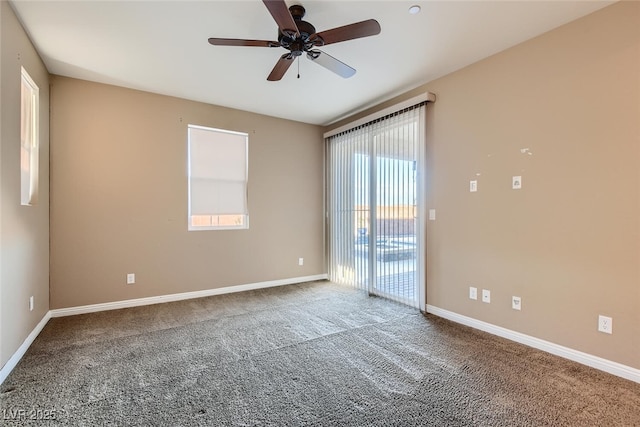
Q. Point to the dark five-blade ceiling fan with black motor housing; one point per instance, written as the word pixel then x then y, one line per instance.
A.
pixel 298 37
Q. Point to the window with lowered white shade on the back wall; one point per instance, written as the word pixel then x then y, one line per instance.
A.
pixel 218 169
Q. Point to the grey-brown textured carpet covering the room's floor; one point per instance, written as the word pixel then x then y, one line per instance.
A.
pixel 308 354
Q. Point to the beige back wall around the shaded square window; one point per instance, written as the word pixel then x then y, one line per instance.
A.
pixel 119 198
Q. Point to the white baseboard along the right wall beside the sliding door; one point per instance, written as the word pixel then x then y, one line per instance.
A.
pixel 605 365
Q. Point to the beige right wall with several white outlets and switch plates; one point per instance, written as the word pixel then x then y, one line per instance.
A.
pixel 568 242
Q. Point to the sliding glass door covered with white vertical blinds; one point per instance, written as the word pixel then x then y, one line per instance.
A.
pixel 375 204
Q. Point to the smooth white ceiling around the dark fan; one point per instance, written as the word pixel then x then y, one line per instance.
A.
pixel 161 47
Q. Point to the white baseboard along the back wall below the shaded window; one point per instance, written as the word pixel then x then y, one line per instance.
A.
pixel 61 312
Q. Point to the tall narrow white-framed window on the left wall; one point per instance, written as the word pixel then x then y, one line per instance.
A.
pixel 29 108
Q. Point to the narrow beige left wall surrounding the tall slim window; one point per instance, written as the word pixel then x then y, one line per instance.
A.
pixel 24 230
